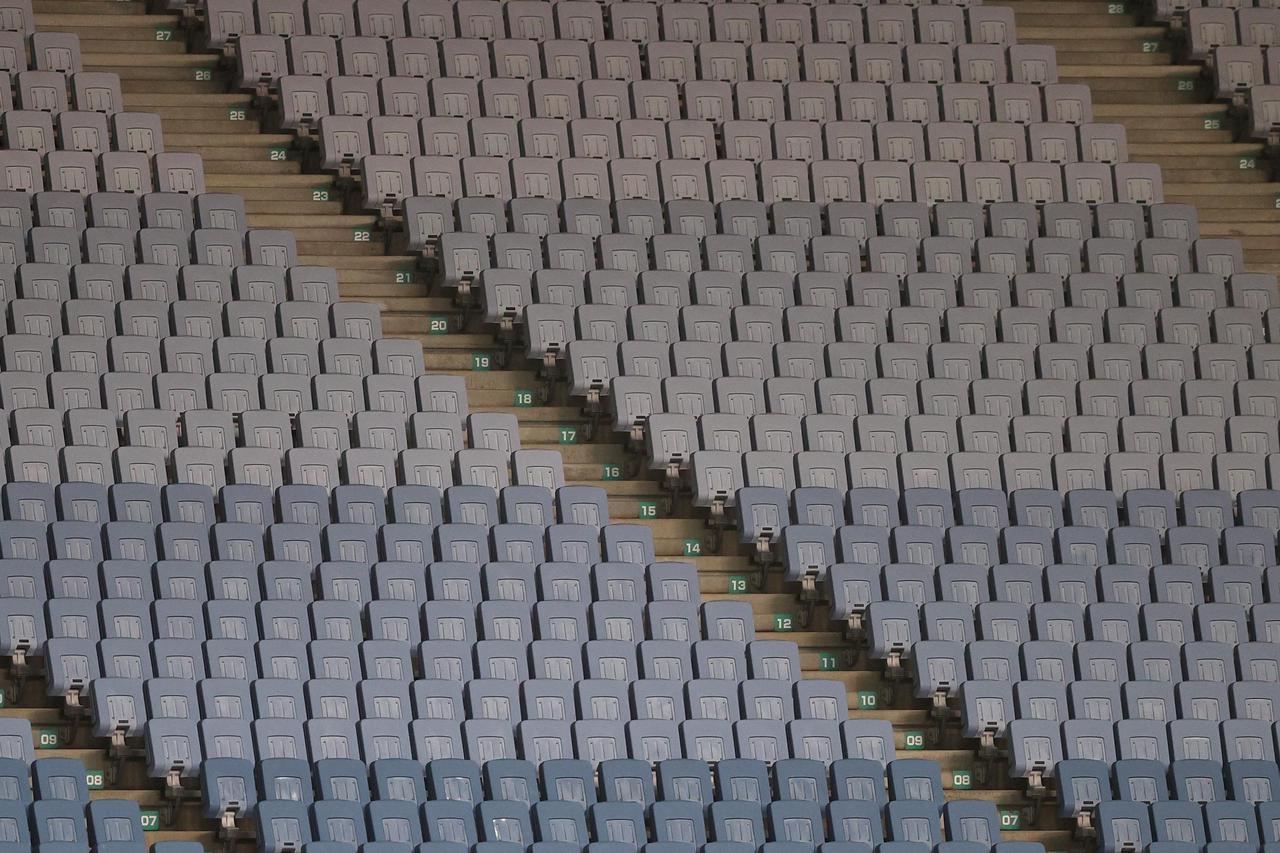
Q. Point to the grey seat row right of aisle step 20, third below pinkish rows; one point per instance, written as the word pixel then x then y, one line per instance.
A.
pixel 771 312
